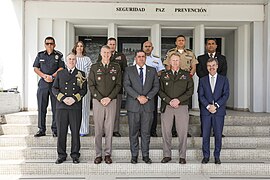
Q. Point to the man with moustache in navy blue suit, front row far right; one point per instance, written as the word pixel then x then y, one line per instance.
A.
pixel 213 94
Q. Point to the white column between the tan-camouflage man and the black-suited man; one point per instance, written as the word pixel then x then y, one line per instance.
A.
pixel 198 49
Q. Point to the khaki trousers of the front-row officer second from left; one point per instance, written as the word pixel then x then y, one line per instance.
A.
pixel 104 123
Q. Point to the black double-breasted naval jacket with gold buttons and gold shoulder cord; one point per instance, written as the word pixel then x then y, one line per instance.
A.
pixel 69 85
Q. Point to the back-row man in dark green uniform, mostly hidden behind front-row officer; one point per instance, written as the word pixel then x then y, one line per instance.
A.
pixel 119 58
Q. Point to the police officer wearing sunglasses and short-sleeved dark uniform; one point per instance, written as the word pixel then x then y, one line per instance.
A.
pixel 46 65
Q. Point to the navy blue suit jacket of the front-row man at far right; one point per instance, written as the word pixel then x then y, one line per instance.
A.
pixel 219 96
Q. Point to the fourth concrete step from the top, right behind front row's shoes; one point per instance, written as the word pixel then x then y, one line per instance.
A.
pixel 88 154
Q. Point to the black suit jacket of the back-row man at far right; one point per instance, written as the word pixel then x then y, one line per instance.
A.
pixel 201 69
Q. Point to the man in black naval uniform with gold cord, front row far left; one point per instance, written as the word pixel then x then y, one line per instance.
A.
pixel 69 87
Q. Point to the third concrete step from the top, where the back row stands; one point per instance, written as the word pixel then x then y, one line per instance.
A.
pixel 123 142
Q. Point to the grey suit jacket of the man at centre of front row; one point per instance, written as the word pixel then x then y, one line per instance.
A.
pixel 133 87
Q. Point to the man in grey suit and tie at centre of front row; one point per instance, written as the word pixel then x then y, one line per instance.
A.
pixel 141 84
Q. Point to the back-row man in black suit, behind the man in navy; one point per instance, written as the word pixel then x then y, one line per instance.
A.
pixel 201 69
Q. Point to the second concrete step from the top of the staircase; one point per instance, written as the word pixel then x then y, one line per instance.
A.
pixel 194 130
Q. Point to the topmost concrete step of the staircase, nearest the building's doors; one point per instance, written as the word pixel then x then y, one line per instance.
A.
pixel 258 119
